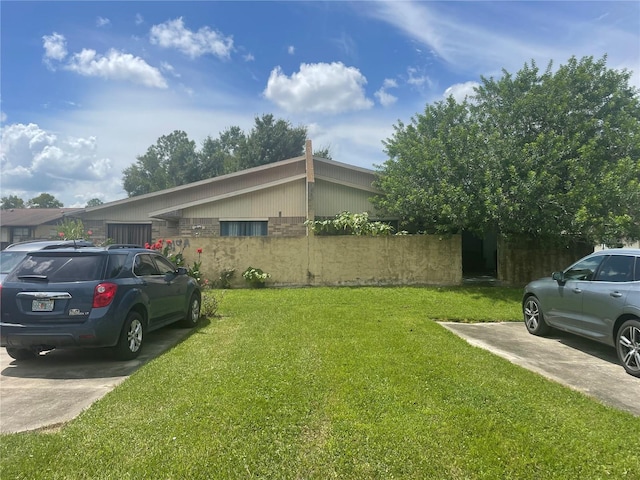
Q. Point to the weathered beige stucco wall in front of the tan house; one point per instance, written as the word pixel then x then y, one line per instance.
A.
pixel 335 260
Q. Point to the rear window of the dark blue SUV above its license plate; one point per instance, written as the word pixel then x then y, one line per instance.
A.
pixel 59 268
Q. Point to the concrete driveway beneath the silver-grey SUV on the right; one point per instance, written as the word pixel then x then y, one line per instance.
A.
pixel 581 364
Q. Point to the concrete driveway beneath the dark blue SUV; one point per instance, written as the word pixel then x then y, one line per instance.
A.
pixel 54 388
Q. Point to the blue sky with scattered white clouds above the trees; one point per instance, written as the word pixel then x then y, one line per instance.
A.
pixel 87 86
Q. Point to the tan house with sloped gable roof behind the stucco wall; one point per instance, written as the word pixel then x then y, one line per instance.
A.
pixel 272 200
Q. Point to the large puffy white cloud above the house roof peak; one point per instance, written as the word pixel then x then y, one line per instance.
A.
pixel 320 88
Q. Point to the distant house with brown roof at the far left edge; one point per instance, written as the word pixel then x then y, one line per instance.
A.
pixel 20 224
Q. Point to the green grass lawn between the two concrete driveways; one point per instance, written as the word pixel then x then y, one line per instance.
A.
pixel 348 383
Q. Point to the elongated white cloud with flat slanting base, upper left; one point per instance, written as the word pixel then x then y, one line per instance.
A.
pixel 116 65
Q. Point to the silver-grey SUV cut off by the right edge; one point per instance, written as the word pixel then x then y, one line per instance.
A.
pixel 597 297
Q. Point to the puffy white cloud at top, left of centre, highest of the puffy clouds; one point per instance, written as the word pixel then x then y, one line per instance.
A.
pixel 173 34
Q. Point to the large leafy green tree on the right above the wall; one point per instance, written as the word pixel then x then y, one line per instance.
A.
pixel 544 154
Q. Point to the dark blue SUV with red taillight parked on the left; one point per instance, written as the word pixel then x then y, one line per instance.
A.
pixel 93 297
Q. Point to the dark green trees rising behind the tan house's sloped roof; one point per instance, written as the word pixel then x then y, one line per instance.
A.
pixel 174 160
